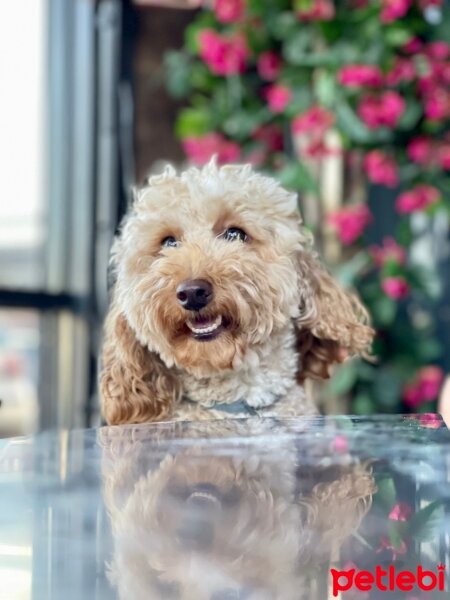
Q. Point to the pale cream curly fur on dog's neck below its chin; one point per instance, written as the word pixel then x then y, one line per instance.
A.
pixel 261 380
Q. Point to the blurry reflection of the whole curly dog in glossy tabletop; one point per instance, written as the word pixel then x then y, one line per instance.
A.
pixel 225 520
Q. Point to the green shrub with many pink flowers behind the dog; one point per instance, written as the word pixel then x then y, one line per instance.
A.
pixel 271 82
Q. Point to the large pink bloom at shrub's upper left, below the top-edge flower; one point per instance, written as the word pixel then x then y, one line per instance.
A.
pixel 223 55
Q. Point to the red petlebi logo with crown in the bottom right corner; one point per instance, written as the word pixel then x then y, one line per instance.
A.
pixel 388 579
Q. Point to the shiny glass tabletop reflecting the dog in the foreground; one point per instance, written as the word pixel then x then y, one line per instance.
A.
pixel 309 508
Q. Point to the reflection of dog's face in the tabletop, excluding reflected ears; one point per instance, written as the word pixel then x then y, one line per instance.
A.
pixel 211 528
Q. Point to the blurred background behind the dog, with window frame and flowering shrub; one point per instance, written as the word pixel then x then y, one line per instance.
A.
pixel 346 102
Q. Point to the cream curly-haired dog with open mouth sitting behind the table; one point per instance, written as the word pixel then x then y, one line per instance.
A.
pixel 220 306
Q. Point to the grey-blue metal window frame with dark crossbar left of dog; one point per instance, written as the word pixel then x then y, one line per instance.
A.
pixel 84 195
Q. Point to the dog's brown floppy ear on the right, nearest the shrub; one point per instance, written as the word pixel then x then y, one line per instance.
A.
pixel 332 325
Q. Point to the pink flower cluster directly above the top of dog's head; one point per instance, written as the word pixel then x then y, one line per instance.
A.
pixel 200 149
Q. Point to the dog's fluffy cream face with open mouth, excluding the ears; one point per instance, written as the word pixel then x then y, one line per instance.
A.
pixel 206 265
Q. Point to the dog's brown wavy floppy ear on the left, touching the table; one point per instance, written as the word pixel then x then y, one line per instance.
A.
pixel 135 385
